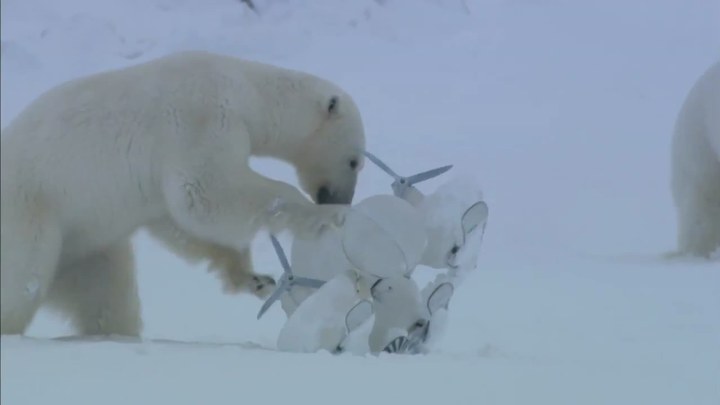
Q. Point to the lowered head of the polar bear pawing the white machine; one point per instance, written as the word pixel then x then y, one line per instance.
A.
pixel 331 155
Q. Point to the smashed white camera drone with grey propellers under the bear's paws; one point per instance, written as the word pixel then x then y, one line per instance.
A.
pixel 339 281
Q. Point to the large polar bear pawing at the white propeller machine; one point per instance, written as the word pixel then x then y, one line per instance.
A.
pixel 164 146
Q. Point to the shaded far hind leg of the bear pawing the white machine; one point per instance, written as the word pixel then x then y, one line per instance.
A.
pixel 99 293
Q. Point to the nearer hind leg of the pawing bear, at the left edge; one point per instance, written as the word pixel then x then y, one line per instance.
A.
pixel 31 245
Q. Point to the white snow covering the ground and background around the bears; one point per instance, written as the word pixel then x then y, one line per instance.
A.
pixel 562 110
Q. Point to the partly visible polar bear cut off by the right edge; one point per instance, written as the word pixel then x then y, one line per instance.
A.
pixel 695 163
